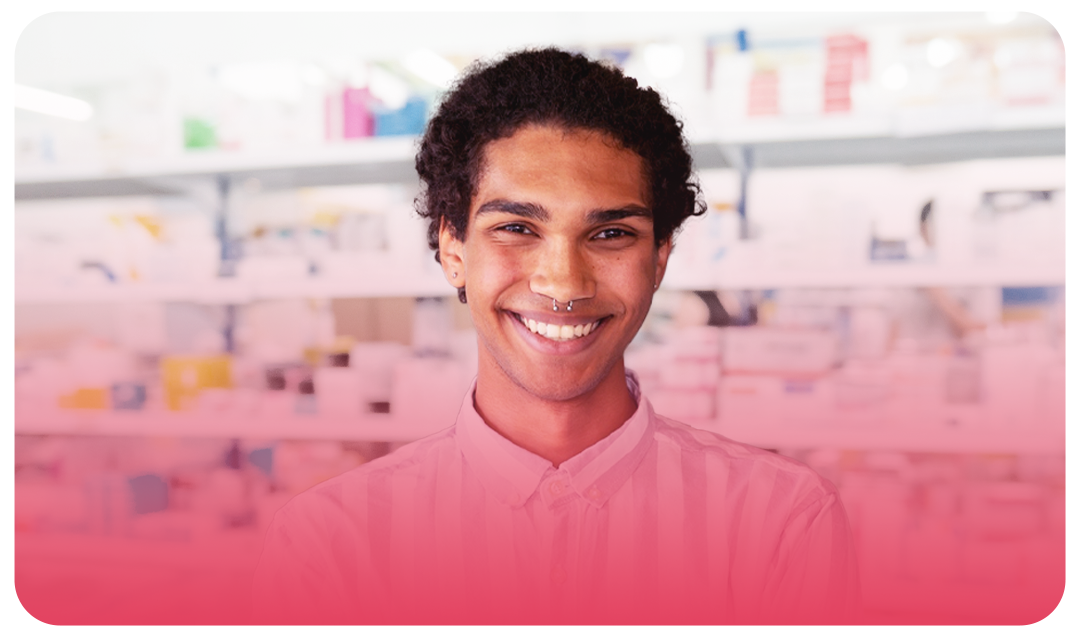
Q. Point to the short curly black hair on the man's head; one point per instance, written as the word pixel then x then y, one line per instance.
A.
pixel 494 101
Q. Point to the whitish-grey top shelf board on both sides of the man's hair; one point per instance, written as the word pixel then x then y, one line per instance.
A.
pixel 391 160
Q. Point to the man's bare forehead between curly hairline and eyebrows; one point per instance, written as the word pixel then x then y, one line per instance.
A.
pixel 561 164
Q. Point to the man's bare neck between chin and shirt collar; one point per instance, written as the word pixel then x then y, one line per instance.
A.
pixel 556 430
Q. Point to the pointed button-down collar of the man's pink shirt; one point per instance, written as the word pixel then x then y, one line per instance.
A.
pixel 512 474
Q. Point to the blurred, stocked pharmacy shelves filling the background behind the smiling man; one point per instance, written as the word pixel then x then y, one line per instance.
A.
pixel 223 295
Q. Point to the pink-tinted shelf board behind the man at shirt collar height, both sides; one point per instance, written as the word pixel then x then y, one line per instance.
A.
pixel 962 432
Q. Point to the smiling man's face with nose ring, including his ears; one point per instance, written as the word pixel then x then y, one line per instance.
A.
pixel 559 215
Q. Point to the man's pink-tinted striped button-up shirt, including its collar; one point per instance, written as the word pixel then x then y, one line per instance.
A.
pixel 656 524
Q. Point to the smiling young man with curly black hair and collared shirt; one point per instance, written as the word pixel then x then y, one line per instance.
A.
pixel 555 186
